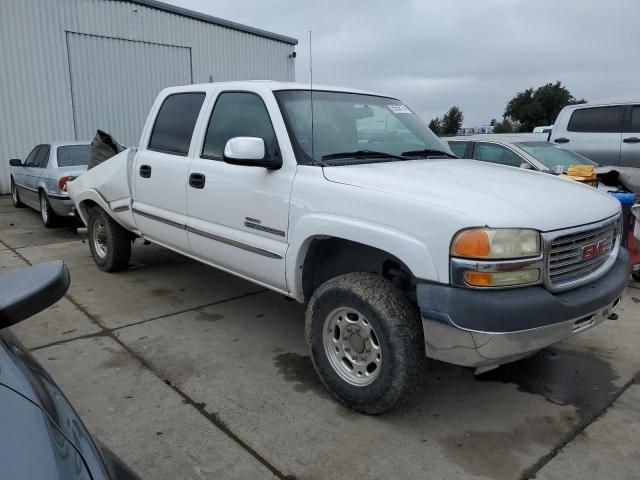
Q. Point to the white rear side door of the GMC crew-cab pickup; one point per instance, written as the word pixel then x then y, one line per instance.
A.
pixel 161 169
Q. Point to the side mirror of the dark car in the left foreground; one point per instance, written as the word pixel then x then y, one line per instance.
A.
pixel 29 290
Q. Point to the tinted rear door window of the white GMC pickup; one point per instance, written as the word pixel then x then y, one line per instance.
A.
pixel 175 123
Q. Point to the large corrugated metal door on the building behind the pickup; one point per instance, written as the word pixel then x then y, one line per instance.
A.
pixel 115 81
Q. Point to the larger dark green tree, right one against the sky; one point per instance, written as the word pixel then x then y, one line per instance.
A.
pixel 536 107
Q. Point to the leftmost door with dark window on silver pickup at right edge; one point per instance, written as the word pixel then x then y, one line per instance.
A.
pixel 595 132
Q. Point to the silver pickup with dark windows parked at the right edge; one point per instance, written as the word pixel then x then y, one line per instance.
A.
pixel 608 134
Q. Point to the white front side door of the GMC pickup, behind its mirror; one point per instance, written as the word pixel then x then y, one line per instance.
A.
pixel 238 214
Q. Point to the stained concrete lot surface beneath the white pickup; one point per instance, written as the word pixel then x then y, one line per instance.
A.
pixel 187 372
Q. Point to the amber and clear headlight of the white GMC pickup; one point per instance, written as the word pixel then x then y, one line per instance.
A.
pixel 490 243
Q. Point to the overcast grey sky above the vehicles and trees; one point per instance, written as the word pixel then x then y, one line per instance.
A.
pixel 475 54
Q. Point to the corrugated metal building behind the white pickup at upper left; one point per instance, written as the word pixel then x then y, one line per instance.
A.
pixel 70 67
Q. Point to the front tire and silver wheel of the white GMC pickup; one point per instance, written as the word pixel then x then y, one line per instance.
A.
pixel 398 334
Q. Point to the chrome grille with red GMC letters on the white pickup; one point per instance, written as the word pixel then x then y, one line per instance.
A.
pixel 567 263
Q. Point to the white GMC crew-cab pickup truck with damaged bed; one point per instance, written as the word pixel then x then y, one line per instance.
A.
pixel 345 200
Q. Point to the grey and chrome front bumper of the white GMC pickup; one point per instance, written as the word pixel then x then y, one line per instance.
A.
pixel 480 328
